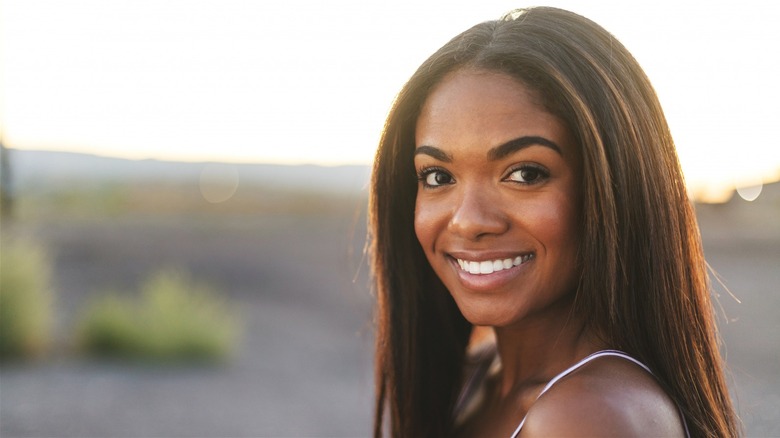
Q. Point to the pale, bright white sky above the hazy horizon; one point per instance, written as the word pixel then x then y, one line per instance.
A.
pixel 311 81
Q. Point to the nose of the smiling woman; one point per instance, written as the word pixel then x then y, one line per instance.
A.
pixel 478 213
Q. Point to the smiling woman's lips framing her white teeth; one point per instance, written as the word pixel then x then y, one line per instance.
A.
pixel 494 280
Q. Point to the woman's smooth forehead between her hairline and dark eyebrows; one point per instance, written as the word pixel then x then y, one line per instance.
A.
pixel 485 108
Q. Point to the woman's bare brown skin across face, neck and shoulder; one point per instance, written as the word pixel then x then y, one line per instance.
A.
pixel 498 181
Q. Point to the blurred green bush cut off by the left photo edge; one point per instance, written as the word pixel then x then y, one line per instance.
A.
pixel 26 300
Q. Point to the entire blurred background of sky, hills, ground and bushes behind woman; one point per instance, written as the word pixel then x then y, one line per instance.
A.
pixel 184 200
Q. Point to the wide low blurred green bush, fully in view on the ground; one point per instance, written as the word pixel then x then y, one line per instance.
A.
pixel 175 319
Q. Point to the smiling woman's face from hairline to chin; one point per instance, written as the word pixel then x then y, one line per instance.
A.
pixel 497 202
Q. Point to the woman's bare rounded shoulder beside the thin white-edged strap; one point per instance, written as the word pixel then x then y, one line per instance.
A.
pixel 609 396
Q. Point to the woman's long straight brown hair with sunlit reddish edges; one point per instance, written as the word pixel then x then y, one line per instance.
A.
pixel 643 285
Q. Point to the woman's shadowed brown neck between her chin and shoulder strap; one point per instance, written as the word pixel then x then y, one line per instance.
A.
pixel 535 351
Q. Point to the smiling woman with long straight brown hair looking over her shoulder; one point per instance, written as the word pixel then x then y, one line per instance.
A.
pixel 526 181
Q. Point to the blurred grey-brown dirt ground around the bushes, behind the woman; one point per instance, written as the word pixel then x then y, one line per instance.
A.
pixel 300 286
